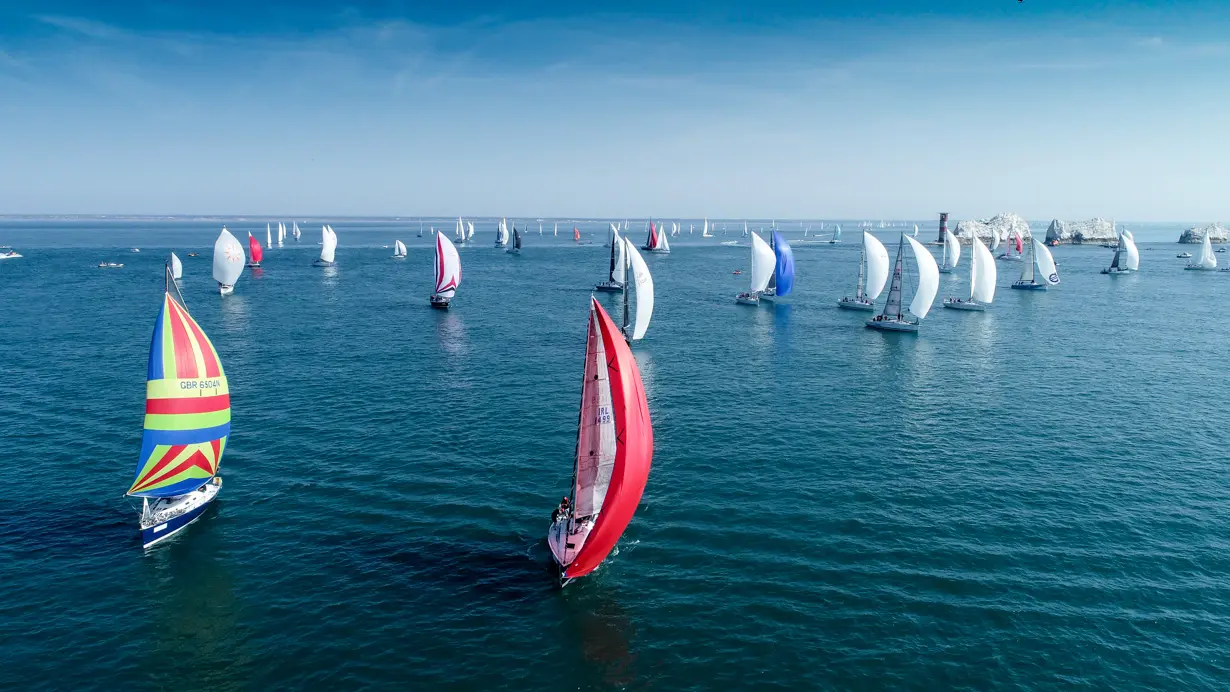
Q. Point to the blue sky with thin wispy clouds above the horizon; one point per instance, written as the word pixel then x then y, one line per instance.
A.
pixel 768 110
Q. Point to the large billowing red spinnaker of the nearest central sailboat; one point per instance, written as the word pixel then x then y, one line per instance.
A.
pixel 634 449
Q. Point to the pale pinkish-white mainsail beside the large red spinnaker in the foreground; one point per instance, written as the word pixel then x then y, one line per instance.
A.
pixel 596 441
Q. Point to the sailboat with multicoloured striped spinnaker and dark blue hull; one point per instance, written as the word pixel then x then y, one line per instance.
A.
pixel 188 423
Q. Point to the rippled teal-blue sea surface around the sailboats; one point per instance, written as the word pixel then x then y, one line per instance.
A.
pixel 1031 498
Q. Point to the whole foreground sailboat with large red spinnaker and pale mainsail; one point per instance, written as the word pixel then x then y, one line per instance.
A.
pixel 614 454
